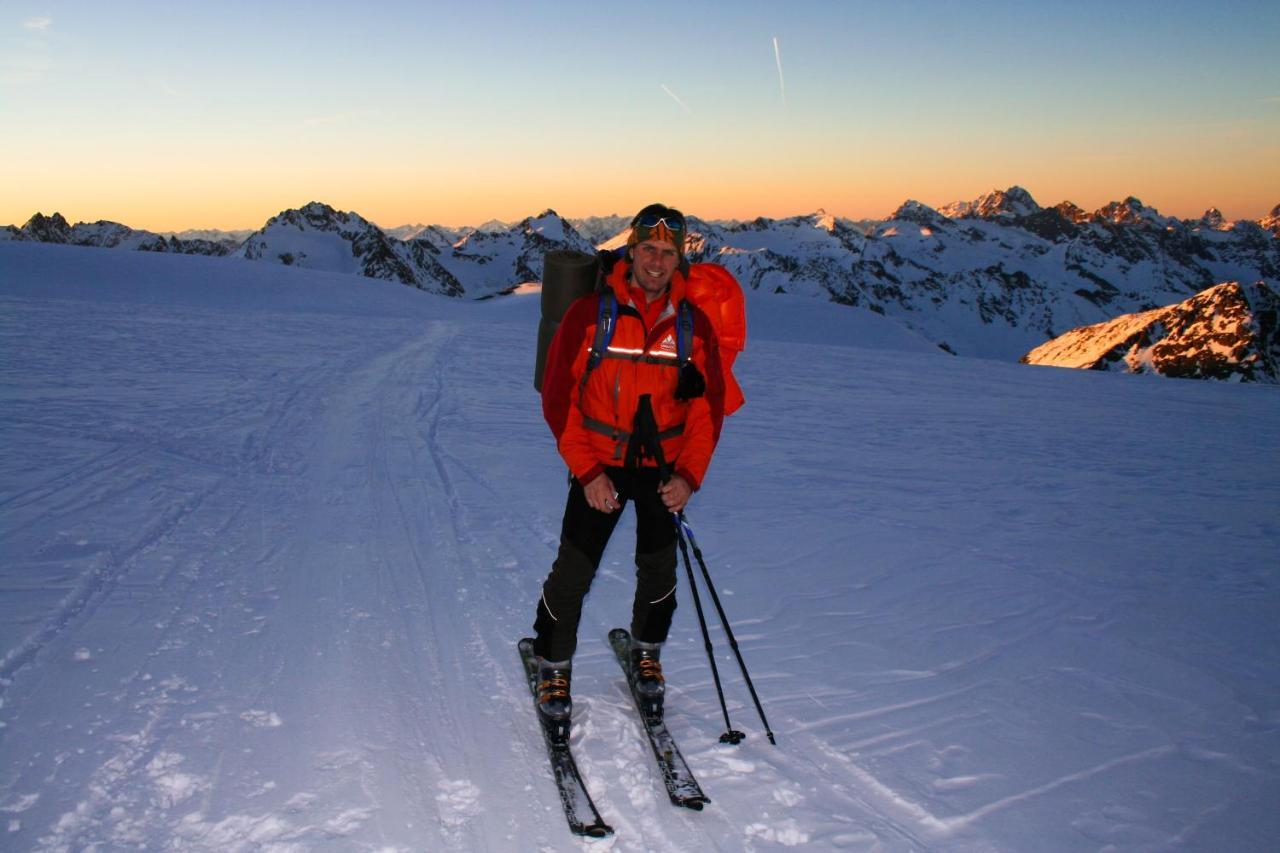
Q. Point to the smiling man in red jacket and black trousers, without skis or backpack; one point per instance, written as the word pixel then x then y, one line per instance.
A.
pixel 592 405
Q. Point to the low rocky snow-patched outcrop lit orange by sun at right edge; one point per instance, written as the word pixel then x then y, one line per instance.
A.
pixel 1228 332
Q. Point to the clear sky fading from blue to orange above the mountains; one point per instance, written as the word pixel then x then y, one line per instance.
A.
pixel 168 116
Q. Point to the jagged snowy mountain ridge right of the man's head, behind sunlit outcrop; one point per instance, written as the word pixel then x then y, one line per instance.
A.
pixel 1002 276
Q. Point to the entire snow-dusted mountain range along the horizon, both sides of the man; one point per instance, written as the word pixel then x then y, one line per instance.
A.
pixel 995 277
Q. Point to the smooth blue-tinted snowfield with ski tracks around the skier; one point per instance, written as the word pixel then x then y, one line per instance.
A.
pixel 271 536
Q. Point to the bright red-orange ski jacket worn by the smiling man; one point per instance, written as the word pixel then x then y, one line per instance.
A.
pixel 592 421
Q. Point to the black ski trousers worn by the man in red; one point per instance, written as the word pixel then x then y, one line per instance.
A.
pixel 584 535
